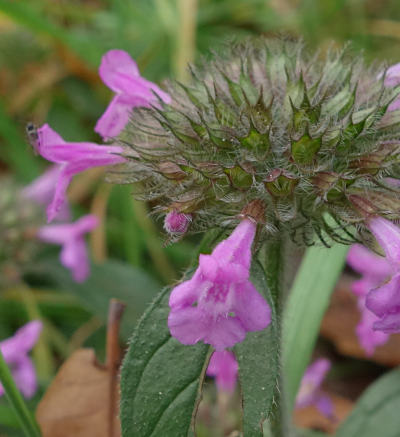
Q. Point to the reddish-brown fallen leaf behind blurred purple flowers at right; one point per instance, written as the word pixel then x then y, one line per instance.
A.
pixel 339 324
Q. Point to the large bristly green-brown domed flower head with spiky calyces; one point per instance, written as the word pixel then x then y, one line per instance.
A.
pixel 311 137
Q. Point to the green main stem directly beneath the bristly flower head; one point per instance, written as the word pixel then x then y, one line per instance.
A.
pixel 273 263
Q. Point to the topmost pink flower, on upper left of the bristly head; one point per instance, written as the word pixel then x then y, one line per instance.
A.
pixel 121 74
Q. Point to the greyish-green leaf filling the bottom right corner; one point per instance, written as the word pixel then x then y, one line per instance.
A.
pixel 377 411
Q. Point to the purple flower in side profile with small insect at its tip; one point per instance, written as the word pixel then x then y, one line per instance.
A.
pixel 72 158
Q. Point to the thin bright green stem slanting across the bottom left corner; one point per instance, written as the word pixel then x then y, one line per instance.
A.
pixel 16 400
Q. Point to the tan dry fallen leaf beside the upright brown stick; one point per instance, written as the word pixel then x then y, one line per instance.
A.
pixel 77 402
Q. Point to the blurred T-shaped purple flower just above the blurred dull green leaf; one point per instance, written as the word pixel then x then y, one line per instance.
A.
pixel 71 236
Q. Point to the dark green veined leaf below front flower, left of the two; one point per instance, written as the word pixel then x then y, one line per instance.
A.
pixel 161 379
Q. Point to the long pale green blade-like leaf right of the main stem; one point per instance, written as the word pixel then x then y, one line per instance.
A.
pixel 306 305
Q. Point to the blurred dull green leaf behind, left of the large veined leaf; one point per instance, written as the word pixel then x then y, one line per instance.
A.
pixel 112 279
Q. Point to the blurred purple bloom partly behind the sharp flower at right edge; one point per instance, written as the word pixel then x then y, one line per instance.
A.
pixel 374 270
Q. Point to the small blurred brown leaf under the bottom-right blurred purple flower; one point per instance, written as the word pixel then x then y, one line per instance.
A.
pixel 311 418
